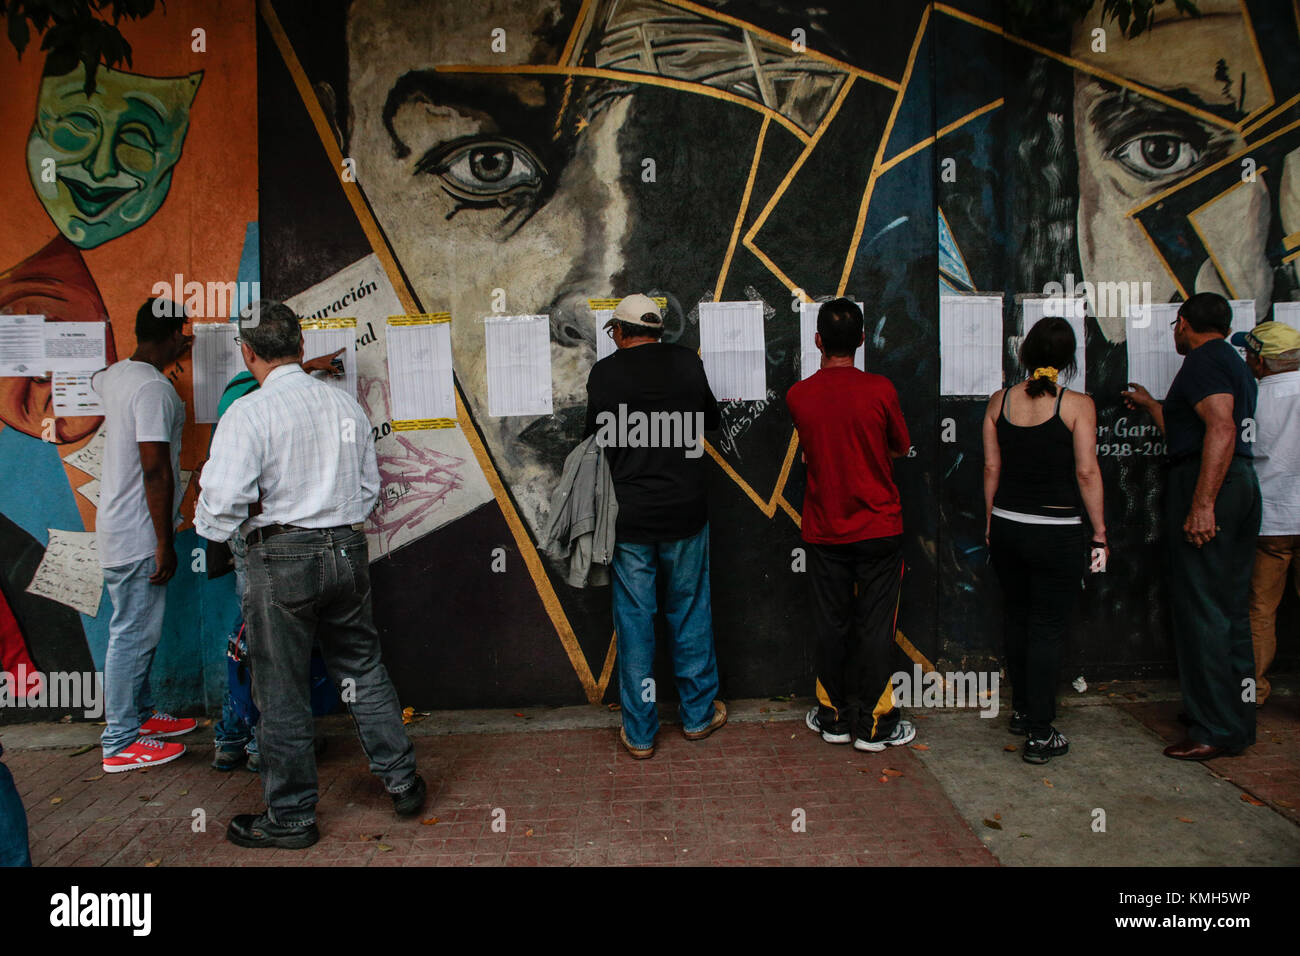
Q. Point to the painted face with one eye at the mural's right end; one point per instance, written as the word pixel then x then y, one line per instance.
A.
pixel 1133 148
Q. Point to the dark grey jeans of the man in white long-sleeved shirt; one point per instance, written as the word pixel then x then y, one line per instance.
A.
pixel 307 586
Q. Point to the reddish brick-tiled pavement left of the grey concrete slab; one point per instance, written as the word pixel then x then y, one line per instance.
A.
pixel 552 799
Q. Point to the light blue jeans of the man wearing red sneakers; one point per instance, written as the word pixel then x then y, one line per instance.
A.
pixel 133 637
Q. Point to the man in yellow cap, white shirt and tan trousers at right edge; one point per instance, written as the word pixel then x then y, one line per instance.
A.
pixel 1273 356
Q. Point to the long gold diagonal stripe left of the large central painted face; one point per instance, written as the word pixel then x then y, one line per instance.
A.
pixel 379 244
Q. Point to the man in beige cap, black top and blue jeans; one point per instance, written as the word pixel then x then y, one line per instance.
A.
pixel 649 405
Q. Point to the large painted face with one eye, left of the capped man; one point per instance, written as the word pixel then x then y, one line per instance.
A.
pixel 495 185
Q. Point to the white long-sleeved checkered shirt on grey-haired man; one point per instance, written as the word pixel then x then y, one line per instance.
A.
pixel 304 447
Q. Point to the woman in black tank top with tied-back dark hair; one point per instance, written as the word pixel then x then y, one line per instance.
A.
pixel 1041 475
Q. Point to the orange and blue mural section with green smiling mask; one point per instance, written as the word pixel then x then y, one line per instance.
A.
pixel 99 188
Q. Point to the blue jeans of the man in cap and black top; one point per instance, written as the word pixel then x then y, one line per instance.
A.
pixel 690 615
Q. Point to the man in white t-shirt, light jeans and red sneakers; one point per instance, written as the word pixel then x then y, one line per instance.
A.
pixel 138 501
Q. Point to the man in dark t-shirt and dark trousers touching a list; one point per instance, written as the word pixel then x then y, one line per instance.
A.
pixel 1212 517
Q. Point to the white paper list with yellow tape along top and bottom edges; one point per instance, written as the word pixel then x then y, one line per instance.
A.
pixel 421 379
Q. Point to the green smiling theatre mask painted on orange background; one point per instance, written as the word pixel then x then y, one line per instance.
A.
pixel 103 166
